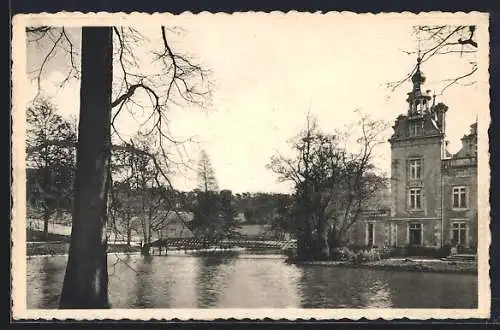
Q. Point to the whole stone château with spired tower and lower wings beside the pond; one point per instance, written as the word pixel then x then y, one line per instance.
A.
pixel 433 193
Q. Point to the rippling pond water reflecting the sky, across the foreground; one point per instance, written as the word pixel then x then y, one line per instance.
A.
pixel 253 281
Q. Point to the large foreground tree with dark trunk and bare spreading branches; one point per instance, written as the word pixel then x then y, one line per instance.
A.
pixel 103 97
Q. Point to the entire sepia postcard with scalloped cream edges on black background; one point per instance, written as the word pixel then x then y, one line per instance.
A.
pixel 250 165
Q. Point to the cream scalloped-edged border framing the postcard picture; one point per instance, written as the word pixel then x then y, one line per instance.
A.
pixel 18 224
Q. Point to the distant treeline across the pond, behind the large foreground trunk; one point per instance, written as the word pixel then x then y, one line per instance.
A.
pixel 142 201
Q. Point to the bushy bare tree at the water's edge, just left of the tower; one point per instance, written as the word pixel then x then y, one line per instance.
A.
pixel 332 184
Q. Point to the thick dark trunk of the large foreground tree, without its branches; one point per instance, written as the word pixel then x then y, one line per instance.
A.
pixel 86 278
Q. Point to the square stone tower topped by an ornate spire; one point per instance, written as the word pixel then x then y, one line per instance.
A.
pixel 417 147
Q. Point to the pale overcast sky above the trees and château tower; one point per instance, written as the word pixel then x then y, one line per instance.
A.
pixel 268 72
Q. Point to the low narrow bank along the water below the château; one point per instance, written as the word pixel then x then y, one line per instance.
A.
pixel 422 266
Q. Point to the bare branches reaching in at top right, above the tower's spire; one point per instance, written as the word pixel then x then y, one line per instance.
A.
pixel 445 40
